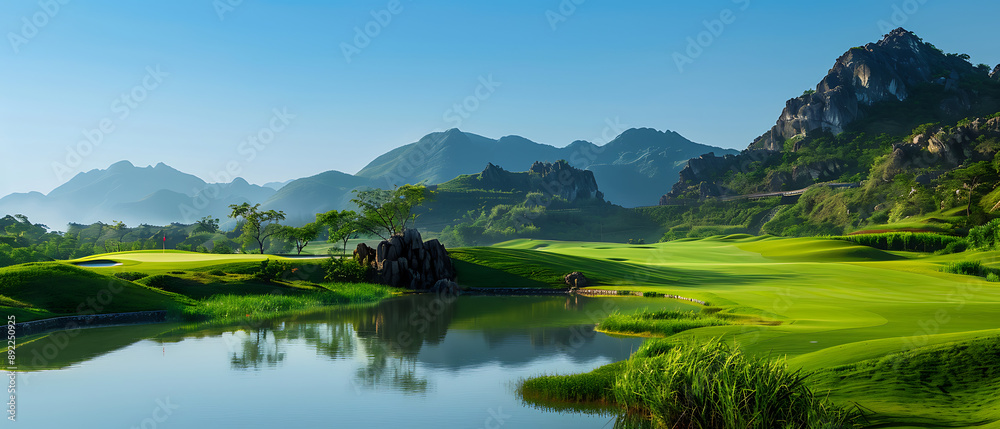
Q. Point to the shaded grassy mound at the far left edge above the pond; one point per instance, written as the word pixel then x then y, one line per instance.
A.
pixel 50 288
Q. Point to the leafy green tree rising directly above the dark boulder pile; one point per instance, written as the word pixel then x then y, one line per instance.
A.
pixel 386 212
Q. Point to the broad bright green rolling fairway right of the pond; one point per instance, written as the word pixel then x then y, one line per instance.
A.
pixel 839 304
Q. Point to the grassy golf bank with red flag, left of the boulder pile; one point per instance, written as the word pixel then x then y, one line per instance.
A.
pixel 197 284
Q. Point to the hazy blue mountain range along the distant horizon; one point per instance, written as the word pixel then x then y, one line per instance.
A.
pixel 633 169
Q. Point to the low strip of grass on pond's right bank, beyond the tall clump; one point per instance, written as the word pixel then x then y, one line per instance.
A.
pixel 663 322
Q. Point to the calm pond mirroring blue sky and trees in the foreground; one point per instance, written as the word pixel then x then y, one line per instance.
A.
pixel 419 361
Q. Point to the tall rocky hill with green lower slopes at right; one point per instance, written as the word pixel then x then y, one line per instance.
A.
pixel 871 99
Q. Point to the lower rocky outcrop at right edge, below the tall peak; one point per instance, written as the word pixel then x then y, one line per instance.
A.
pixel 943 148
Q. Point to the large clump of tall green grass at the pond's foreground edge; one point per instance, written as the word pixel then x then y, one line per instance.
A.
pixel 714 385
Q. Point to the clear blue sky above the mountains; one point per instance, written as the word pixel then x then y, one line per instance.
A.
pixel 186 82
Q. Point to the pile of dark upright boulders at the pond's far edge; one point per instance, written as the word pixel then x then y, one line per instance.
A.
pixel 406 261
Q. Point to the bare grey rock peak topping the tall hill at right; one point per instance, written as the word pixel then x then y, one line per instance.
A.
pixel 865 75
